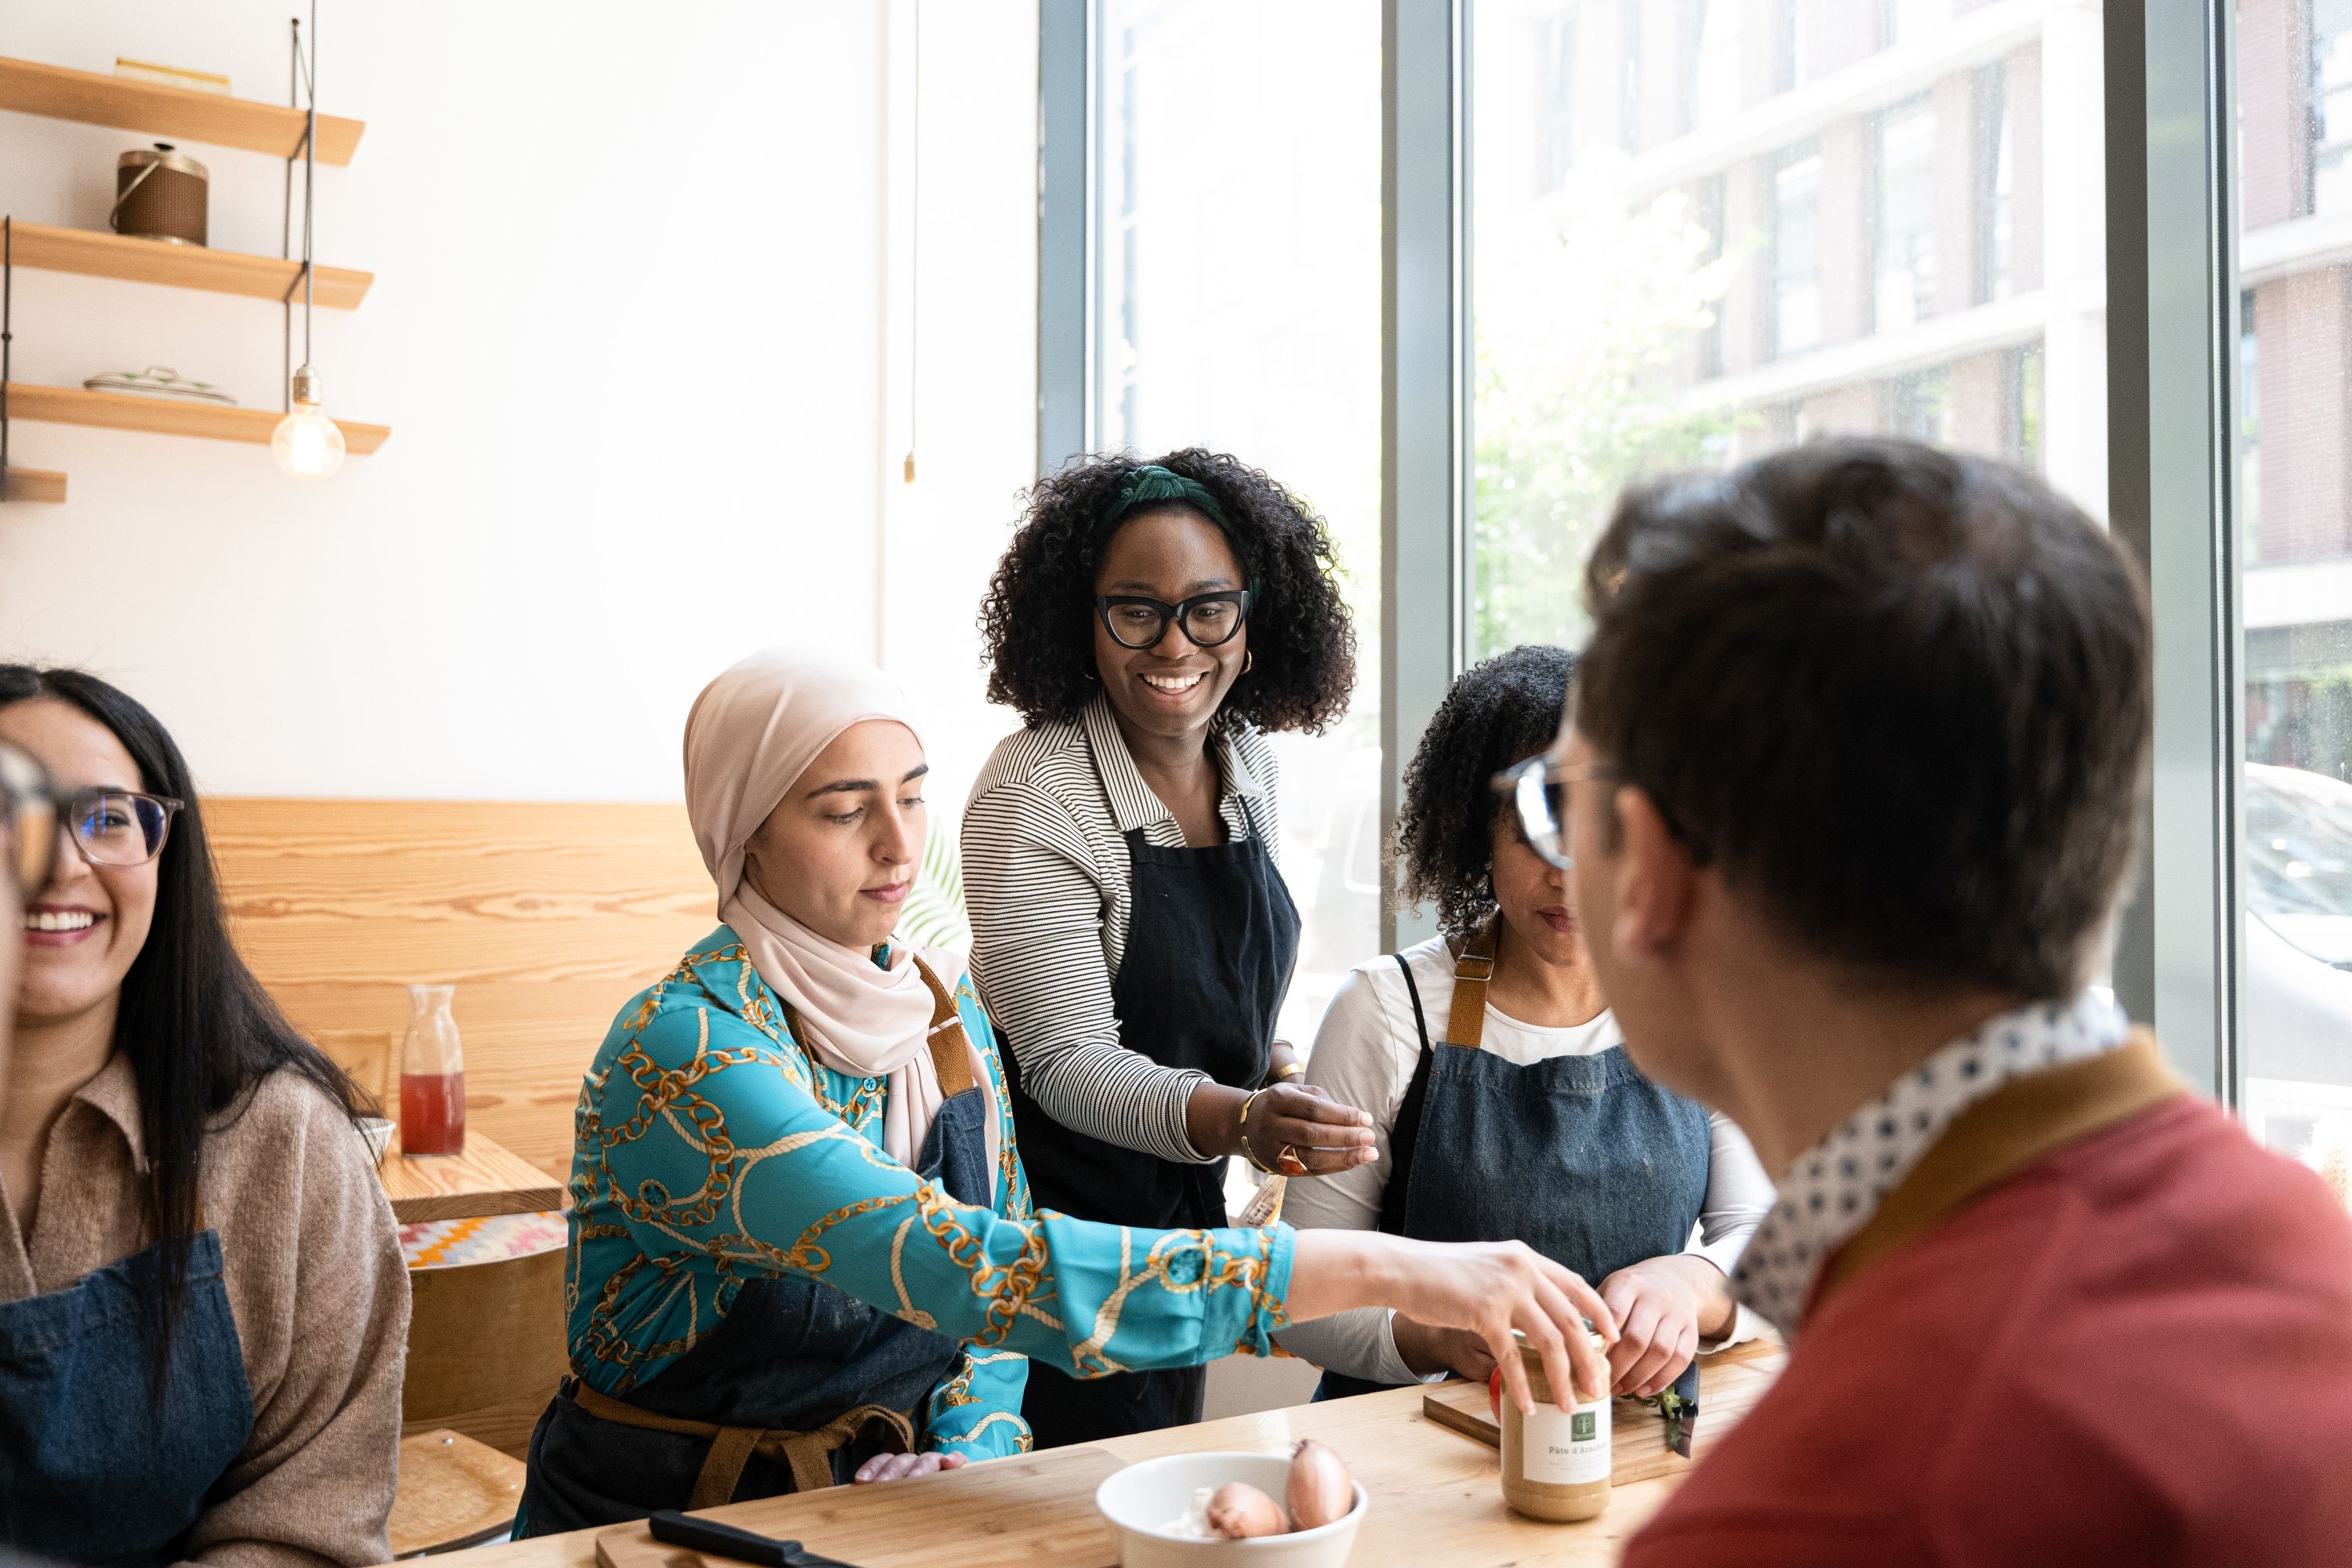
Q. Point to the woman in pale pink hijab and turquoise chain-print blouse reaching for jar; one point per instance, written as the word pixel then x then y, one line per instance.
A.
pixel 803 1247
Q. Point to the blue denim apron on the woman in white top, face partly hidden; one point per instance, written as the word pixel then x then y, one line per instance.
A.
pixel 1579 1155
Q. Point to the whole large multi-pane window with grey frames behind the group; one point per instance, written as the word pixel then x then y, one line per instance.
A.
pixel 1706 229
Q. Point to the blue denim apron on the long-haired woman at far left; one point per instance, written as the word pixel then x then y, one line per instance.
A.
pixel 93 1466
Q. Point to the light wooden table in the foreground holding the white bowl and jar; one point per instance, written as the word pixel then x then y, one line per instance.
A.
pixel 1436 1499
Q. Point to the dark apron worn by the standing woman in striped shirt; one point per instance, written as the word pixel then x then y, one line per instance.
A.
pixel 1210 946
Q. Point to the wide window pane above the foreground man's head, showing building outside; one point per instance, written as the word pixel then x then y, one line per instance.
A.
pixel 1913 243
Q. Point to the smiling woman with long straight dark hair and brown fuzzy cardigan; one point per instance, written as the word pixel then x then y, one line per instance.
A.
pixel 203 1306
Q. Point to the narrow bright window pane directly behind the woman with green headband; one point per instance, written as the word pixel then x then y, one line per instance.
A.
pixel 1241 309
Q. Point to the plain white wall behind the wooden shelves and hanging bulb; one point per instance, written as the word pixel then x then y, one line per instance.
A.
pixel 634 330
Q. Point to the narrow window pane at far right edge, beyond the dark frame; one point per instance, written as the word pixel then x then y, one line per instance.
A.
pixel 2297 589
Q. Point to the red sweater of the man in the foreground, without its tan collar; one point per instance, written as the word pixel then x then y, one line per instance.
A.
pixel 2134 1351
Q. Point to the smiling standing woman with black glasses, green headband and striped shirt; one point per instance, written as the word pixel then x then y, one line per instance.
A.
pixel 1132 932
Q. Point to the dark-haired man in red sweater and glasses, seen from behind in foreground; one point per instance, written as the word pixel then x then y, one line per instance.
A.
pixel 1852 786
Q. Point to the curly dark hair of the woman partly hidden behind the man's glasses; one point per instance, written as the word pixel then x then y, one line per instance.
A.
pixel 1497 713
